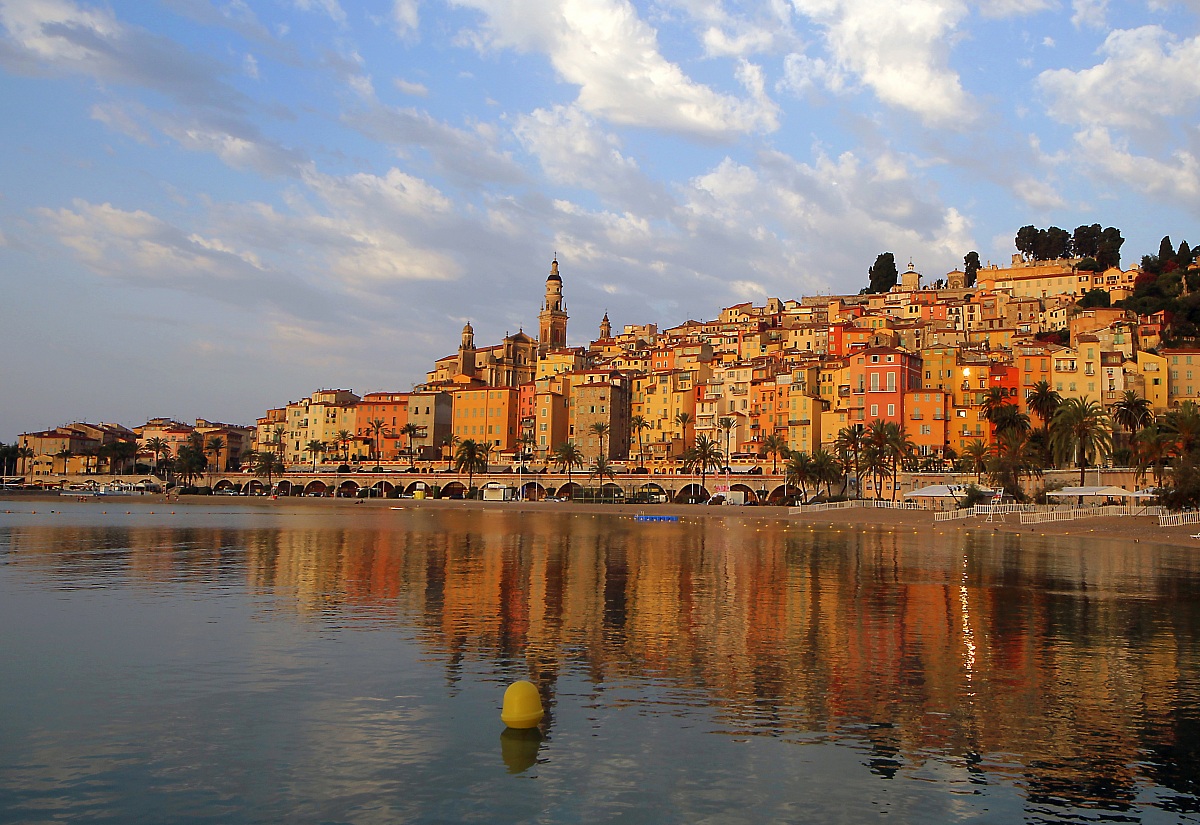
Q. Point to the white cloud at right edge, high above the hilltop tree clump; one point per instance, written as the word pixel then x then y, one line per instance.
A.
pixel 1147 76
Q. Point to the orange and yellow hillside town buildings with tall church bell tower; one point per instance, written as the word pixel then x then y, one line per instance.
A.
pixel 759 382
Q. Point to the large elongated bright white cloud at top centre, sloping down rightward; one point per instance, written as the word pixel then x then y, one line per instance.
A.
pixel 604 49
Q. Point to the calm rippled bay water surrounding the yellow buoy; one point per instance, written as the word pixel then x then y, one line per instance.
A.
pixel 245 666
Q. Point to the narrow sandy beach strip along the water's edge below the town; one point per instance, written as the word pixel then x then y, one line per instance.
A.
pixel 1135 529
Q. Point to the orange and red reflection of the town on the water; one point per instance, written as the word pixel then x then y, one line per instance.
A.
pixel 975 659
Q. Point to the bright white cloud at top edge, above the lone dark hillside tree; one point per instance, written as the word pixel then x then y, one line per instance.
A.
pixel 899 51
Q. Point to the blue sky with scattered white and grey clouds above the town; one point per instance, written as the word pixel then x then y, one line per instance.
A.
pixel 212 208
